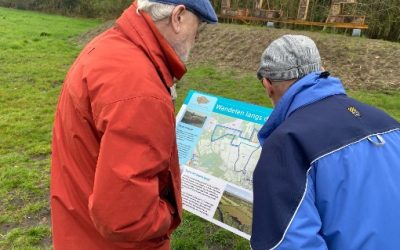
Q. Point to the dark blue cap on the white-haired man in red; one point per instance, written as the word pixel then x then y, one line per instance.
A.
pixel 201 8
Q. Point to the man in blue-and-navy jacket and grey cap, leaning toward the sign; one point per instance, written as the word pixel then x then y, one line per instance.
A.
pixel 329 172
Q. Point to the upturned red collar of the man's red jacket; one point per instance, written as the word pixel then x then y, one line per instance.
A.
pixel 141 30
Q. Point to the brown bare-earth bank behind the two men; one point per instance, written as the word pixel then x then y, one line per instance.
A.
pixel 361 63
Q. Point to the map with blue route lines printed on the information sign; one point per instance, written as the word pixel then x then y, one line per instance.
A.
pixel 228 149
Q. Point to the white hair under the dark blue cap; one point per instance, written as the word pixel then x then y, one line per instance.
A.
pixel 157 11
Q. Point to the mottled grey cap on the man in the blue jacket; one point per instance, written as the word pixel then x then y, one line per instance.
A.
pixel 289 57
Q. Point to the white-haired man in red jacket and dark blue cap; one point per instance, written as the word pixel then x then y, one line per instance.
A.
pixel 115 179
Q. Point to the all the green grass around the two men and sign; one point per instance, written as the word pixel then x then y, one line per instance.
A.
pixel 36 51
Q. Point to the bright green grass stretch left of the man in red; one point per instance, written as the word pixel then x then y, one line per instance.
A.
pixel 35 53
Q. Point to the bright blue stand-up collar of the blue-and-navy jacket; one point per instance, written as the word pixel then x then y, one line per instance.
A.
pixel 309 89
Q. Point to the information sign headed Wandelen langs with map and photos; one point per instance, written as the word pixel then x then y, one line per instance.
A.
pixel 218 151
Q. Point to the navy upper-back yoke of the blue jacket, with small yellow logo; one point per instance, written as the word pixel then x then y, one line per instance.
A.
pixel 330 124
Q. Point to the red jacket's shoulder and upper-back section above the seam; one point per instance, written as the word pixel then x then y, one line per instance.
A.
pixel 115 69
